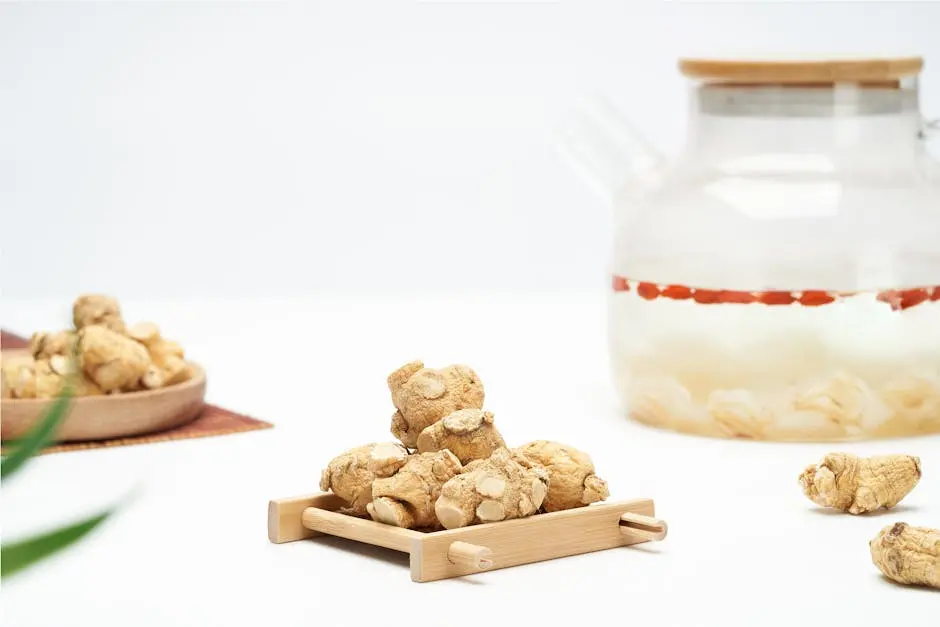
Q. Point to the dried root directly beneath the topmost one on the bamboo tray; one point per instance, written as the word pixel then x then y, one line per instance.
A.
pixel 467 433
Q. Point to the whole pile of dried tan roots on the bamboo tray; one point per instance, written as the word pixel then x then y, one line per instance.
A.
pixel 451 467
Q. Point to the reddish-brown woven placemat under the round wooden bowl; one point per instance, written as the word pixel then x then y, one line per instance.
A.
pixel 212 421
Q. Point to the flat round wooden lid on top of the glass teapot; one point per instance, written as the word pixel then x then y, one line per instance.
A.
pixel 808 71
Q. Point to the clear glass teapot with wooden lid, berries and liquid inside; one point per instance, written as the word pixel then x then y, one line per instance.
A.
pixel 780 278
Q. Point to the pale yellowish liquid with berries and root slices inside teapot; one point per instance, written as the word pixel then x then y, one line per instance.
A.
pixel 781 366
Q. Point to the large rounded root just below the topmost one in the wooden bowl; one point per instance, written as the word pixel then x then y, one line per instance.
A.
pixel 111 360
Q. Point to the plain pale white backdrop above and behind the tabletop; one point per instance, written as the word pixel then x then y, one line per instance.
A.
pixel 208 149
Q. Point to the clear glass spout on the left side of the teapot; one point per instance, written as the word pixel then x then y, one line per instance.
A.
pixel 606 149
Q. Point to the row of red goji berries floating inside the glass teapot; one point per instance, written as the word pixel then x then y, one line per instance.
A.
pixel 899 299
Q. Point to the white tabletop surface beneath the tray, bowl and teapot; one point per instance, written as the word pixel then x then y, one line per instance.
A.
pixel 745 547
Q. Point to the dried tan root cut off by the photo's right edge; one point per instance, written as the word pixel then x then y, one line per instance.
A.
pixel 908 555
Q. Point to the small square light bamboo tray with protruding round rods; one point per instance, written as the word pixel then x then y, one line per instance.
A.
pixel 458 552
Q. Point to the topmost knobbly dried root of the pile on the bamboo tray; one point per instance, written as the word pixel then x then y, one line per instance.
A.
pixel 422 396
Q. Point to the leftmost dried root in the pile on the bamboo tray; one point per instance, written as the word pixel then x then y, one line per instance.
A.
pixel 349 475
